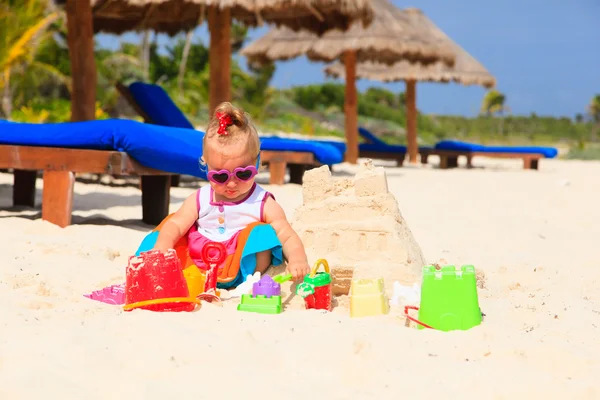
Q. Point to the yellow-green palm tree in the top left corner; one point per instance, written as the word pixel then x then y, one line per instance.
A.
pixel 22 26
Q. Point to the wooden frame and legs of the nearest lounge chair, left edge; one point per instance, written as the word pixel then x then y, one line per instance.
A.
pixel 59 166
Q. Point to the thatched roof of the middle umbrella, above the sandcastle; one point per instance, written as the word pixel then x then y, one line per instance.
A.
pixel 392 36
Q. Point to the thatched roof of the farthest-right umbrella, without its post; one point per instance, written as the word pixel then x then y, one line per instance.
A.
pixel 467 70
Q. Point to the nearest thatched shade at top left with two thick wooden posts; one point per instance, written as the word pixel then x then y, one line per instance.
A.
pixel 85 17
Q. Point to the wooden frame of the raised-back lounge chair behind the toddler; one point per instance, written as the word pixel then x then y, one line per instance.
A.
pixel 278 161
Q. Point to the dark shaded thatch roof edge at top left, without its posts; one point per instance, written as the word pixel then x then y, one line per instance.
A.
pixel 173 16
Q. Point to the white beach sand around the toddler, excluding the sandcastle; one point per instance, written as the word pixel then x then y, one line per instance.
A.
pixel 534 234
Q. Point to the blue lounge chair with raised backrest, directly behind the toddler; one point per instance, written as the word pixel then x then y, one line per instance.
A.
pixel 153 104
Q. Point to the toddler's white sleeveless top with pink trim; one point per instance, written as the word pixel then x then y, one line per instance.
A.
pixel 219 221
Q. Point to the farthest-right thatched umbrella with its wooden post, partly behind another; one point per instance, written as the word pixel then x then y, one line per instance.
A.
pixel 466 70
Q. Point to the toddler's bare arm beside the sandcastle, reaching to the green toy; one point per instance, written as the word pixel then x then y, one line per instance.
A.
pixel 293 249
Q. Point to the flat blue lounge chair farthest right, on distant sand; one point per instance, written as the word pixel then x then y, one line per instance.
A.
pixel 450 150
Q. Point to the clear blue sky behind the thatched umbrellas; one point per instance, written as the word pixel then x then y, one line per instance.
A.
pixel 545 55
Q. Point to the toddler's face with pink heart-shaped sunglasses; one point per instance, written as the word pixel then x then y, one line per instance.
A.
pixel 229 158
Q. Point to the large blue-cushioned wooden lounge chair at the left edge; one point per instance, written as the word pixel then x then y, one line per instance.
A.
pixel 116 147
